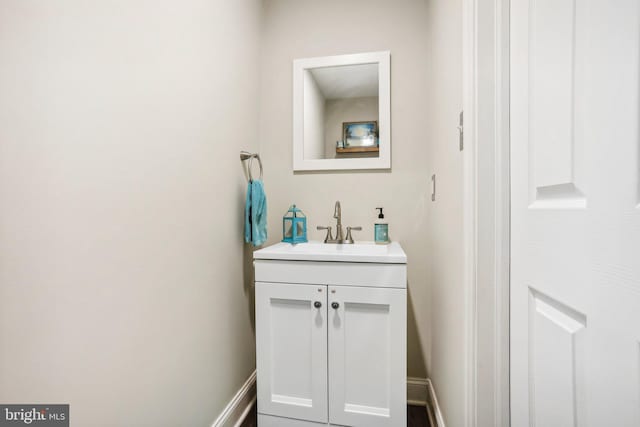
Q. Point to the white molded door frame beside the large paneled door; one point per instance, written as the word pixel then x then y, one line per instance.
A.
pixel 486 204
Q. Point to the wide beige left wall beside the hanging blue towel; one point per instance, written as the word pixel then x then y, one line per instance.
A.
pixel 124 282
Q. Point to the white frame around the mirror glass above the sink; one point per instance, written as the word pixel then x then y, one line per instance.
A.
pixel 384 114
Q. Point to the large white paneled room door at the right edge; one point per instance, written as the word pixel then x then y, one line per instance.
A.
pixel 575 207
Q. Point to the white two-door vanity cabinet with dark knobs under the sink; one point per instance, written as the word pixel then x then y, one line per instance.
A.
pixel 331 339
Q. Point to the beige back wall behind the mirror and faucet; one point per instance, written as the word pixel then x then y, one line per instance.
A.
pixel 307 28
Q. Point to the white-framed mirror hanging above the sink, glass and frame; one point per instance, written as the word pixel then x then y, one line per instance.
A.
pixel 342 112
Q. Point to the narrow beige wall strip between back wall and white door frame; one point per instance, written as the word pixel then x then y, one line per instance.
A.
pixel 445 252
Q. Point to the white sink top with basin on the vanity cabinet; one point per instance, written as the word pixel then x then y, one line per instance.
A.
pixel 318 251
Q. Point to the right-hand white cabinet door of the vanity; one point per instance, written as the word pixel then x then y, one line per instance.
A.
pixel 367 356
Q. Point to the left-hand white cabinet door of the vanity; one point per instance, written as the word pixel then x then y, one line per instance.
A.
pixel 291 340
